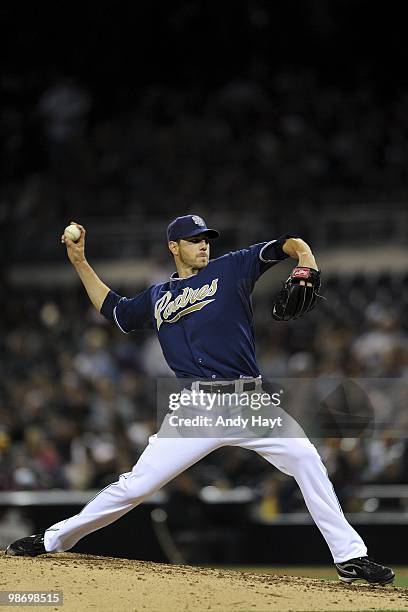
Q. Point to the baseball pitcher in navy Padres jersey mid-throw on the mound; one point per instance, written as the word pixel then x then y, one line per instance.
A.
pixel 203 319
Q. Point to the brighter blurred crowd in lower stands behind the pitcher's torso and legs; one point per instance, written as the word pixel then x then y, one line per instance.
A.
pixel 78 399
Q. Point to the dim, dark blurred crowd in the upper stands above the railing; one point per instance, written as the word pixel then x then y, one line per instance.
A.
pixel 263 149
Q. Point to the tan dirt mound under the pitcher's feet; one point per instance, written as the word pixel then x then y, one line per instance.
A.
pixel 106 583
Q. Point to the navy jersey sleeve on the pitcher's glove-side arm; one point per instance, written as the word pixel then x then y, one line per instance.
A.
pixel 252 262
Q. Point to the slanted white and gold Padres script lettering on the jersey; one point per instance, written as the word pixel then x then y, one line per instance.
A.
pixel 165 306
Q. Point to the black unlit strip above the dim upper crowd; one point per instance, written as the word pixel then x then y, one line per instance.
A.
pixel 117 51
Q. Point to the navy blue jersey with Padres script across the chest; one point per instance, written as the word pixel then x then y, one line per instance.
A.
pixel 204 322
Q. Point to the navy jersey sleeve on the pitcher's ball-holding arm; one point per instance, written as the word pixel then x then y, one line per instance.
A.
pixel 129 314
